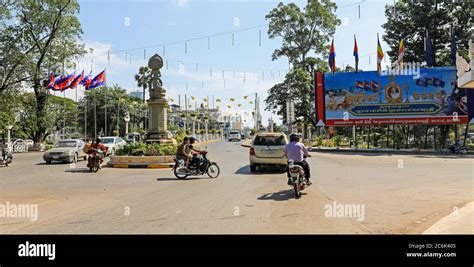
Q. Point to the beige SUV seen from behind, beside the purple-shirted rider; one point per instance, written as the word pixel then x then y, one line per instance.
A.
pixel 268 149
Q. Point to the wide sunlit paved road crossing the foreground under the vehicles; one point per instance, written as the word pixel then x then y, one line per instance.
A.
pixel 399 194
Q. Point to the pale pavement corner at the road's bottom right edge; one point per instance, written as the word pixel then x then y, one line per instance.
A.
pixel 458 222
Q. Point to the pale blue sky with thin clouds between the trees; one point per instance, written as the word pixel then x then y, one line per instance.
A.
pixel 241 67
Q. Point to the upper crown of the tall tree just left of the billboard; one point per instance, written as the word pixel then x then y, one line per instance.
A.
pixel 302 31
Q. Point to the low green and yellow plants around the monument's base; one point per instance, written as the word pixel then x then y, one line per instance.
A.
pixel 147 149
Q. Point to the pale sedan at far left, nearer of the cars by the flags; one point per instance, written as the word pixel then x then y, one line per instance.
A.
pixel 66 151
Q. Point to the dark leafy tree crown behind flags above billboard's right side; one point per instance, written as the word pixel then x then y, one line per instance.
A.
pixel 413 18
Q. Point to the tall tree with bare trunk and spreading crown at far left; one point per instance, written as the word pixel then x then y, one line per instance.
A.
pixel 44 37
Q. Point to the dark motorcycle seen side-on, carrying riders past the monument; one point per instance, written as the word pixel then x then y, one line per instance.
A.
pixel 204 166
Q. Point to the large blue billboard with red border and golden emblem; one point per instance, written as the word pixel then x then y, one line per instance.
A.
pixel 429 96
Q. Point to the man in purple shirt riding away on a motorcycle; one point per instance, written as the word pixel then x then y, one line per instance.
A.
pixel 296 151
